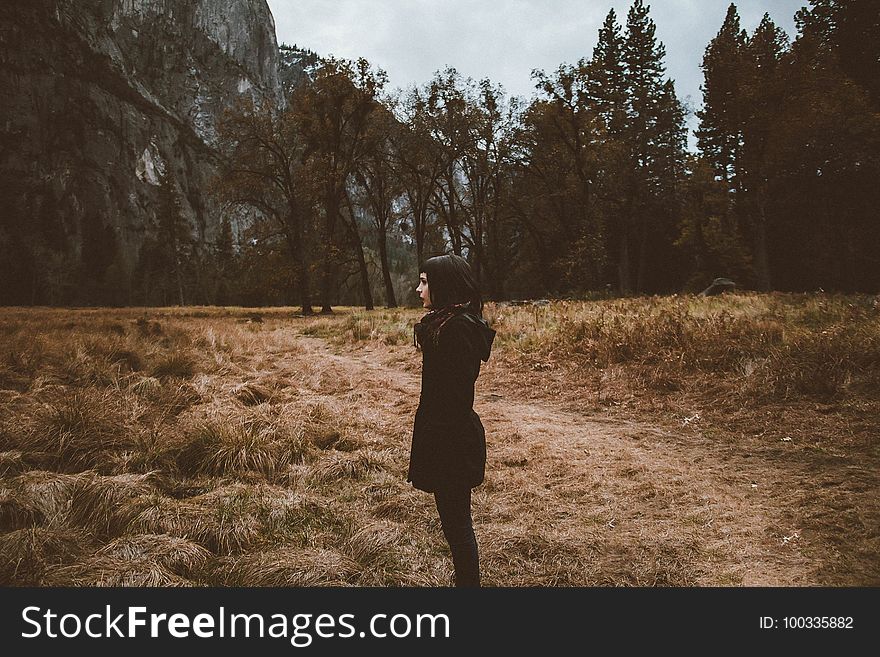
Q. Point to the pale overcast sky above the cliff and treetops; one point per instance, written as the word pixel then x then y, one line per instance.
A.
pixel 505 40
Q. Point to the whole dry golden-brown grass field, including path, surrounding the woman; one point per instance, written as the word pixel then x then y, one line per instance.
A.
pixel 674 441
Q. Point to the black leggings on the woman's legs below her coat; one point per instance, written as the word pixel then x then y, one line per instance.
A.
pixel 454 507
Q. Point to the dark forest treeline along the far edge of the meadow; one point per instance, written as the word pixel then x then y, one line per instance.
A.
pixel 588 188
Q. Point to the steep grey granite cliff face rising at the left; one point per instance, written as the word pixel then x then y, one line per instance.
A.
pixel 102 101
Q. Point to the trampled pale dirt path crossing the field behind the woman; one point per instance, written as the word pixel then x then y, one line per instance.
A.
pixel 630 503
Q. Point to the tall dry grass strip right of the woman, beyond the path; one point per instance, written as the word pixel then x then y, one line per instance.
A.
pixel 766 346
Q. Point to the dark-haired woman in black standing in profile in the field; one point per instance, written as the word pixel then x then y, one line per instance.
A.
pixel 448 455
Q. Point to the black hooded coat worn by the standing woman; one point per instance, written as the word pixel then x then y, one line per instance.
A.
pixel 449 441
